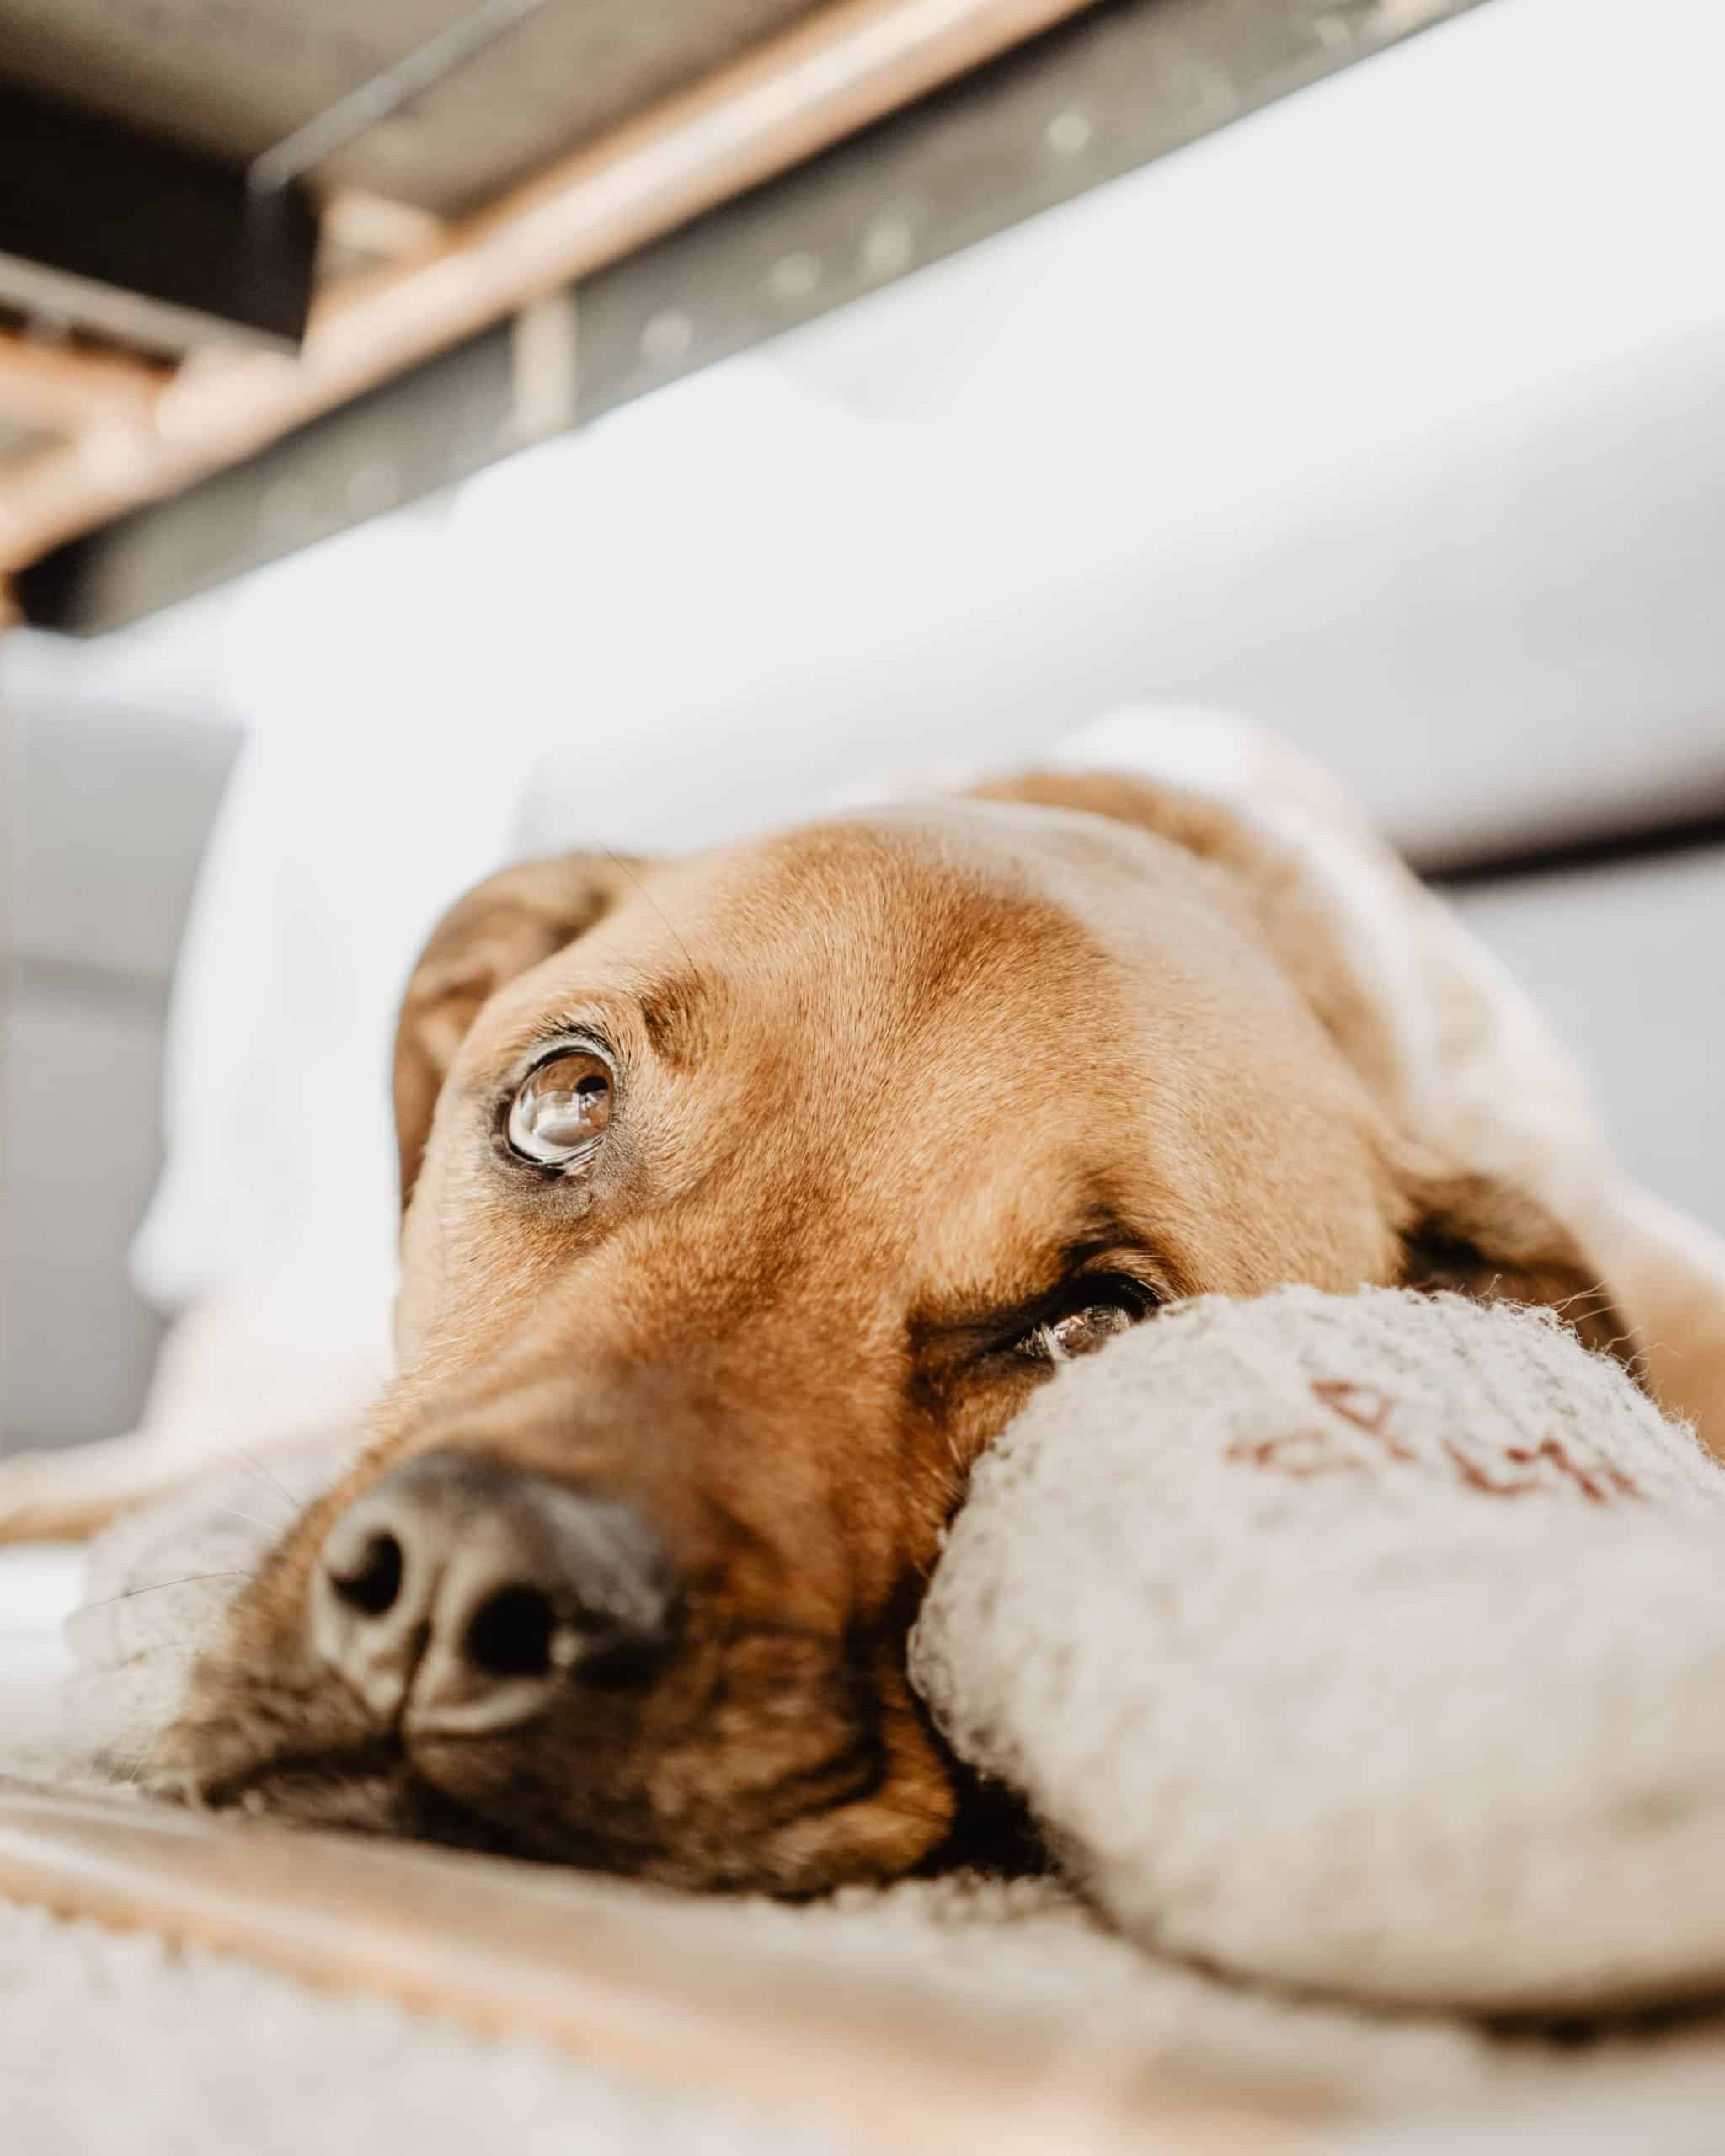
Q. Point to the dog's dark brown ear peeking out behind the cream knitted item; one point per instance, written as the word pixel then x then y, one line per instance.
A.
pixel 1478 1236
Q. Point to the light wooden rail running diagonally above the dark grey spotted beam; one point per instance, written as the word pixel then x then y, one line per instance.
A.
pixel 827 79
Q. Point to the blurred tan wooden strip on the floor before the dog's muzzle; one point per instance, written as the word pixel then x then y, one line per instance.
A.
pixel 663 1987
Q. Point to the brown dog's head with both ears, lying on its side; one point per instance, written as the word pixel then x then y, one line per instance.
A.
pixel 745 1204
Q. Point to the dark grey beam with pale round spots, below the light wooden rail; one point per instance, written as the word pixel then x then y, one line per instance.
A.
pixel 1116 87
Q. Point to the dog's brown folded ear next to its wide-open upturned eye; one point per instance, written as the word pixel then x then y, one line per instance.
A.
pixel 499 930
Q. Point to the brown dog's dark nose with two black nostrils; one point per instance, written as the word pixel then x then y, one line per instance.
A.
pixel 460 1594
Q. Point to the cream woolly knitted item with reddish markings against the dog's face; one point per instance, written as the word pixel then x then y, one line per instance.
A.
pixel 1360 1642
